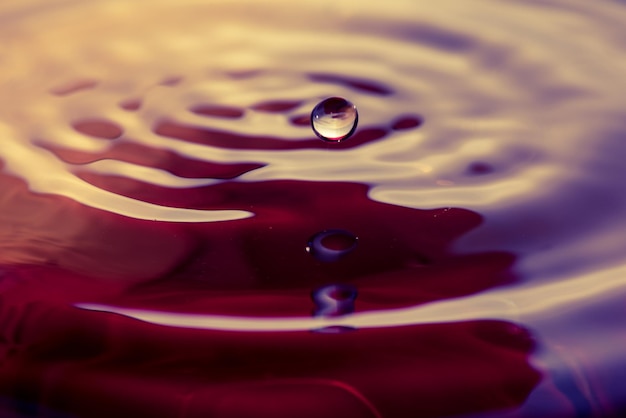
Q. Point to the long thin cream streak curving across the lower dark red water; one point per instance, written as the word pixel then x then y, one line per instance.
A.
pixel 528 303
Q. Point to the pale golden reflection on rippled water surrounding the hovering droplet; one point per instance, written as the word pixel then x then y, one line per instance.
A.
pixel 520 84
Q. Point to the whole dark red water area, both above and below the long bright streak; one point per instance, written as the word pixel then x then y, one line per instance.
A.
pixel 55 357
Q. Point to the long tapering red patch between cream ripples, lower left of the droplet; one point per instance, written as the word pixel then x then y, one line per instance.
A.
pixel 156 158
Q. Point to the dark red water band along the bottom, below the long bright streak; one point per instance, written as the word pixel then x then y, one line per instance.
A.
pixel 97 365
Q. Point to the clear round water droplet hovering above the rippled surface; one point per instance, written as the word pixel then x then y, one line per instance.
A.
pixel 334 119
